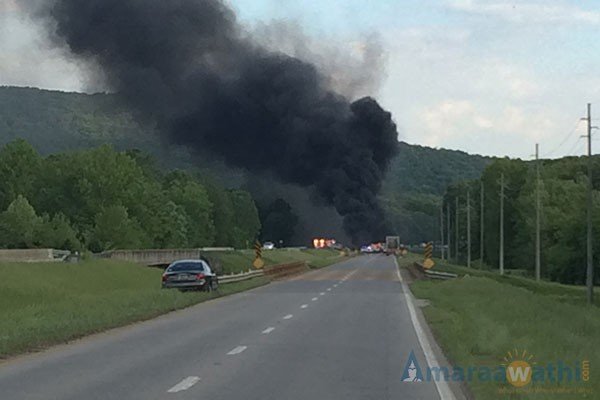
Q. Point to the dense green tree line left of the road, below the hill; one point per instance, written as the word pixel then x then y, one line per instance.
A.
pixel 100 199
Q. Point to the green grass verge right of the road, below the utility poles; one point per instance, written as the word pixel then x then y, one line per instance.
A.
pixel 480 316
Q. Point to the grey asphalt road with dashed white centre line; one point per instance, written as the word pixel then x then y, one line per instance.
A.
pixel 343 332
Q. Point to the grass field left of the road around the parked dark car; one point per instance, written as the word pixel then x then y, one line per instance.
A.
pixel 43 304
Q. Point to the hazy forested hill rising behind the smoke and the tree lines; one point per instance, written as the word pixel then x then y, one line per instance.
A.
pixel 54 122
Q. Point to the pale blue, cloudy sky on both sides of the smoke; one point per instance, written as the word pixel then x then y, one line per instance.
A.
pixel 489 77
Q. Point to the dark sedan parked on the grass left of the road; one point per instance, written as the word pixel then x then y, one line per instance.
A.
pixel 190 275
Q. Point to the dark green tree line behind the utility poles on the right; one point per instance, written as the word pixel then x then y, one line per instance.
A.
pixel 562 185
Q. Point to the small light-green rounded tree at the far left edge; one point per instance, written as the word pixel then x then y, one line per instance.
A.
pixel 19 224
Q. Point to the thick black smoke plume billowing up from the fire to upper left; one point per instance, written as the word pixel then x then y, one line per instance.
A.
pixel 188 65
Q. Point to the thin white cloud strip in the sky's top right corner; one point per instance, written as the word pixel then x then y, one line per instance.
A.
pixel 548 12
